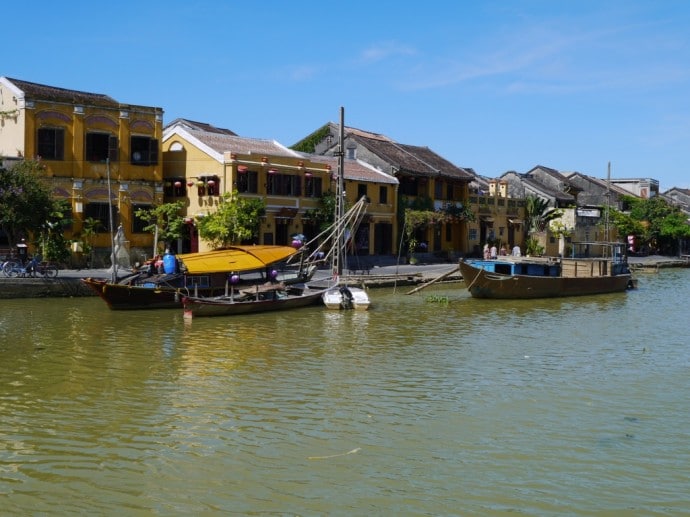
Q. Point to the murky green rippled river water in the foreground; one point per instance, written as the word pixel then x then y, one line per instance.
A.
pixel 417 407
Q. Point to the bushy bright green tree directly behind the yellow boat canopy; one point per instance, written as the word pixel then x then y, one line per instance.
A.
pixel 236 220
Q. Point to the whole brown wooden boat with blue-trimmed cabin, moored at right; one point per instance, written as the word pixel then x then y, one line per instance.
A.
pixel 525 278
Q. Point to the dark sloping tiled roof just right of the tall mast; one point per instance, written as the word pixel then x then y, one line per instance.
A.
pixel 413 159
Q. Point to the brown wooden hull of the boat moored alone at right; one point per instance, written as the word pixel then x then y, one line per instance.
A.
pixel 486 284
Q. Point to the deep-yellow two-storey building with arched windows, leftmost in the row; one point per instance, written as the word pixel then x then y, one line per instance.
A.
pixel 98 153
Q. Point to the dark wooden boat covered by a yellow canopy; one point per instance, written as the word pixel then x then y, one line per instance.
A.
pixel 202 274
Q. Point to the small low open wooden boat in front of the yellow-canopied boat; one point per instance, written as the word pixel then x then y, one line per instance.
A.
pixel 264 298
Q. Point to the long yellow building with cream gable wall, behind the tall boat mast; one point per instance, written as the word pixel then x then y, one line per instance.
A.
pixel 202 162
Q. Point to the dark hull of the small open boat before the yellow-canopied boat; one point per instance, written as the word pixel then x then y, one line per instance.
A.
pixel 205 307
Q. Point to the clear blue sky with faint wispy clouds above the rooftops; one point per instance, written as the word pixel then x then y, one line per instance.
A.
pixel 582 85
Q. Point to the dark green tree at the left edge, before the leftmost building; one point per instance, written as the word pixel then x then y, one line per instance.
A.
pixel 26 202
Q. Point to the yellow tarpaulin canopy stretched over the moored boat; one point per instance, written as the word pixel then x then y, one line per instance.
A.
pixel 235 258
